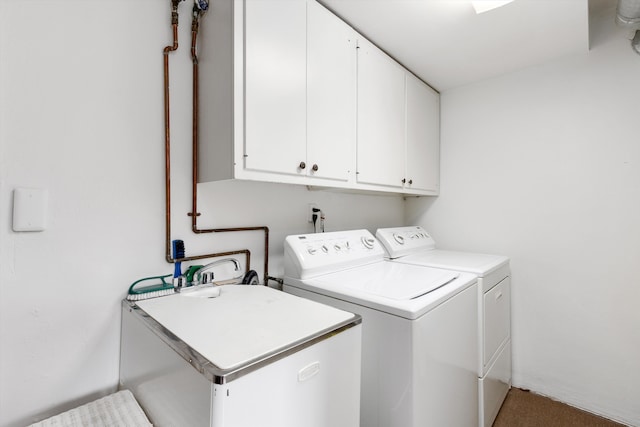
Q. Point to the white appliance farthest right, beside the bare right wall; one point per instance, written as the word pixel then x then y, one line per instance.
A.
pixel 413 245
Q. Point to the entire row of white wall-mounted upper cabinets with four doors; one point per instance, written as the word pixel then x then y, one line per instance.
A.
pixel 290 93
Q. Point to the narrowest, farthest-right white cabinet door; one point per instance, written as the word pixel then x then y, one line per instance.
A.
pixel 423 136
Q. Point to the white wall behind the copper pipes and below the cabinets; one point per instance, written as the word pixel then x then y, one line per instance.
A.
pixel 81 116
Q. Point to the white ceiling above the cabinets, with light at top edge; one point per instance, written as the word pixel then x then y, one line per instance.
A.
pixel 447 44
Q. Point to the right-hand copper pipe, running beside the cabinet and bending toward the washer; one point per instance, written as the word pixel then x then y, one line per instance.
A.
pixel 199 8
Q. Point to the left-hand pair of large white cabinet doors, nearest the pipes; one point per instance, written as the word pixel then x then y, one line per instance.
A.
pixel 299 90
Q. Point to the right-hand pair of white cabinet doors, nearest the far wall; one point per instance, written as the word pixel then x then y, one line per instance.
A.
pixel 398 126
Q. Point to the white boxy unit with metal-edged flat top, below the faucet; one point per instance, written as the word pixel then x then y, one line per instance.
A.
pixel 239 356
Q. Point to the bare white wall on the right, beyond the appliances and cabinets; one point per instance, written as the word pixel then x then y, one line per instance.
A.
pixel 543 165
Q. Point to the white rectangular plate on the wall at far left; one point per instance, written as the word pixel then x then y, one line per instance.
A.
pixel 29 209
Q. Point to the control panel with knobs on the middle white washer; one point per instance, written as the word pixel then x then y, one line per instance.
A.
pixel 311 255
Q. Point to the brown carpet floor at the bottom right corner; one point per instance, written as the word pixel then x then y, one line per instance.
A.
pixel 525 409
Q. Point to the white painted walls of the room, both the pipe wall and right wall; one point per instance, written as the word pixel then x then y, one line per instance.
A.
pixel 542 165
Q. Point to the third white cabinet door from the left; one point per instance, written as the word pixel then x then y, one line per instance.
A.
pixel 381 117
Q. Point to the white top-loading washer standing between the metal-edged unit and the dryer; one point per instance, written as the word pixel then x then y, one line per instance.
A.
pixel 419 327
